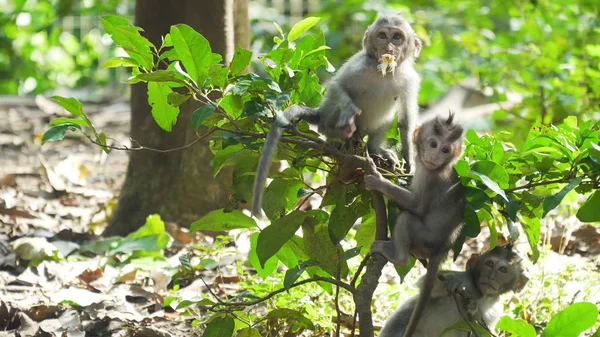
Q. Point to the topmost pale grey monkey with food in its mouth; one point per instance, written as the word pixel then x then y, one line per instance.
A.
pixel 362 97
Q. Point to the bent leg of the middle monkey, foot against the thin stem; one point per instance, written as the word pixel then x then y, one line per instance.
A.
pixel 397 249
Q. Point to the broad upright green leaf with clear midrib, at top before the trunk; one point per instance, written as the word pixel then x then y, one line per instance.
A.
pixel 193 51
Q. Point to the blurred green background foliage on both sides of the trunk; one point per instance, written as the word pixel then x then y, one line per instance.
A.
pixel 547 52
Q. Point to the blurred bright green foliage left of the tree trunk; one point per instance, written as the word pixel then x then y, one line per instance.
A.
pixel 36 54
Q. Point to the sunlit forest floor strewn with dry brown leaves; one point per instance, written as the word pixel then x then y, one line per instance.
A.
pixel 57 197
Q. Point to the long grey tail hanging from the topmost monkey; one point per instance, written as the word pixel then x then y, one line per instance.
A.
pixel 310 115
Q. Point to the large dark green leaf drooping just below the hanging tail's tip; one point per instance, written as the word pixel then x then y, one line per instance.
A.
pixel 272 238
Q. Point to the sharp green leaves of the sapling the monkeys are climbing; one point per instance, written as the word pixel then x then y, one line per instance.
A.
pixel 506 183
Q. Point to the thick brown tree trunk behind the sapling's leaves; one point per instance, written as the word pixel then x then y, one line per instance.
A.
pixel 177 185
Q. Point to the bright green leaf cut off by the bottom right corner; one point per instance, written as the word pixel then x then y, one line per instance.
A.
pixel 572 321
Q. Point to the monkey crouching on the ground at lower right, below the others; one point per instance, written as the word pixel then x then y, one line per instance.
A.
pixel 487 276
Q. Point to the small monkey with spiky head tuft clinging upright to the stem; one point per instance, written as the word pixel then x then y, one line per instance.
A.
pixel 432 209
